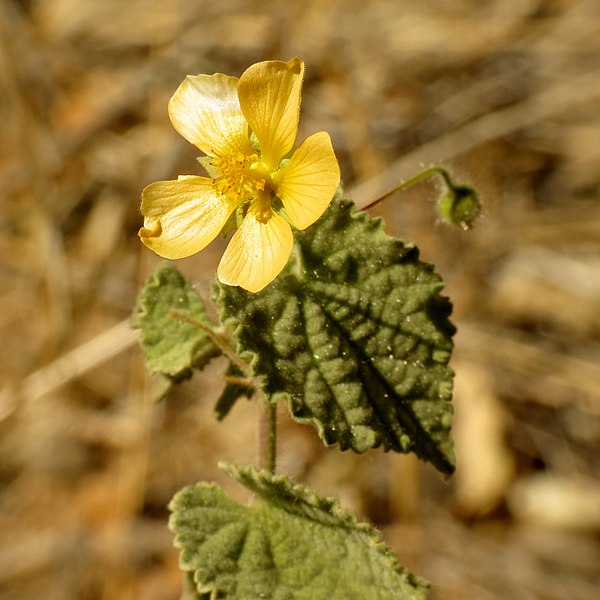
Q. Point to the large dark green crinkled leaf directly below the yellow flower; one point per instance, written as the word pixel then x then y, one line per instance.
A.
pixel 355 337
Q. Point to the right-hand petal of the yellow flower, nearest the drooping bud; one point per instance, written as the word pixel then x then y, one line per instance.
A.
pixel 308 182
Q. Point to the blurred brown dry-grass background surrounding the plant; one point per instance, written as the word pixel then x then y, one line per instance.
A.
pixel 504 93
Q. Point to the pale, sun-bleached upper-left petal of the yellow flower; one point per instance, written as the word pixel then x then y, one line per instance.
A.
pixel 206 111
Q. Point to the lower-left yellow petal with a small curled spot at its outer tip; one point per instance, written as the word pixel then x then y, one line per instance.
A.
pixel 182 217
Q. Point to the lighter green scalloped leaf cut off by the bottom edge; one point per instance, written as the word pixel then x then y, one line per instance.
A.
pixel 291 544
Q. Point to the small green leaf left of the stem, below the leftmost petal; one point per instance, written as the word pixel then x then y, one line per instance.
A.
pixel 166 311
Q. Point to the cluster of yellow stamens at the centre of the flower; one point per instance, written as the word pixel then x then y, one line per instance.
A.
pixel 242 177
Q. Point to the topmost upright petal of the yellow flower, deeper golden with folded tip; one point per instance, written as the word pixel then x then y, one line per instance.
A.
pixel 269 94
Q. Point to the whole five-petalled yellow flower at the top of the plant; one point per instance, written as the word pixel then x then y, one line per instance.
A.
pixel 247 127
